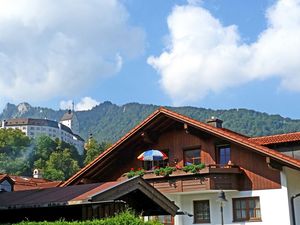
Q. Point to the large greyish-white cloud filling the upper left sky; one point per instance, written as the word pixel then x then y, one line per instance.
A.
pixel 56 48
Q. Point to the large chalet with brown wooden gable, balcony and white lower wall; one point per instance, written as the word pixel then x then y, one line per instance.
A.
pixel 258 181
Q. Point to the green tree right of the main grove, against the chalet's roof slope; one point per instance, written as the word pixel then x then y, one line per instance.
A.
pixel 94 149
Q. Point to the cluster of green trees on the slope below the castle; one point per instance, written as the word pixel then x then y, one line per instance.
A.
pixel 58 160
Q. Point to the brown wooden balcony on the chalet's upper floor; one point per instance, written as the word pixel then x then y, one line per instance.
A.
pixel 212 177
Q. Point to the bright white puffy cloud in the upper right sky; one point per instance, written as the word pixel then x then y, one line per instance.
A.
pixel 204 56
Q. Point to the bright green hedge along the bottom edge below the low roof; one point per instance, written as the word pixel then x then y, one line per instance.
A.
pixel 124 218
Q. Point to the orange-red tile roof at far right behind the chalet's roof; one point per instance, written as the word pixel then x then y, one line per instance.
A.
pixel 277 139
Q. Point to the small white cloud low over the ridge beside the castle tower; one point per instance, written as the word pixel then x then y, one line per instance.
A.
pixel 86 103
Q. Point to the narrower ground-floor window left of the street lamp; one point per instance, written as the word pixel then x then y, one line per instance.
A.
pixel 201 211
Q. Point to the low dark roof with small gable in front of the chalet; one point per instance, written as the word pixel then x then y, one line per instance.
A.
pixel 134 192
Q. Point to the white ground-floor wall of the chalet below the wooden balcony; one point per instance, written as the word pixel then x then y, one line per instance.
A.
pixel 273 203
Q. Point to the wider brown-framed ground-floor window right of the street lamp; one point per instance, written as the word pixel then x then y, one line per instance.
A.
pixel 246 209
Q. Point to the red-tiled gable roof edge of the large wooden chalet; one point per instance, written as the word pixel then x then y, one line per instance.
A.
pixel 219 132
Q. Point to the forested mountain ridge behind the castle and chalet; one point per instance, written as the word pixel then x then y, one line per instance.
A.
pixel 108 122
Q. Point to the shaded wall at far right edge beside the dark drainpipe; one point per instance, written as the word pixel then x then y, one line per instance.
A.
pixel 293 184
